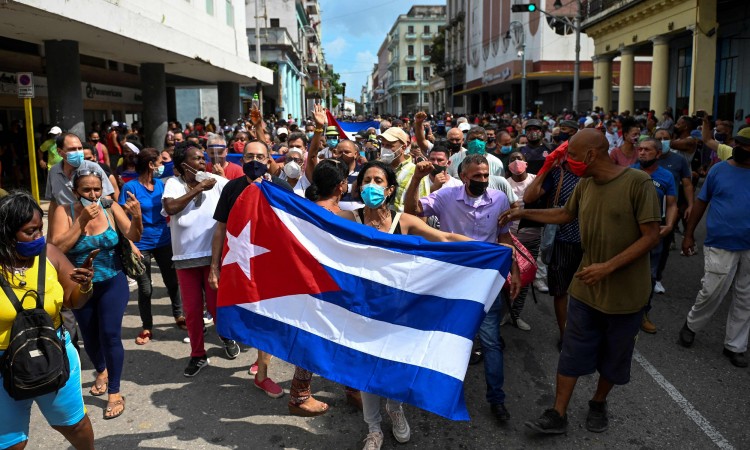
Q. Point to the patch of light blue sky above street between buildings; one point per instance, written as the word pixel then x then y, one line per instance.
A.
pixel 353 31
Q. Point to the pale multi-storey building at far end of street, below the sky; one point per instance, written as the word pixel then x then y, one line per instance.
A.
pixel 404 60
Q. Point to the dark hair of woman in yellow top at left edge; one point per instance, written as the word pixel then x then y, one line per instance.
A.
pixel 16 210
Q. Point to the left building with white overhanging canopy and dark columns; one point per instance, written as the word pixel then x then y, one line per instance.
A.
pixel 97 60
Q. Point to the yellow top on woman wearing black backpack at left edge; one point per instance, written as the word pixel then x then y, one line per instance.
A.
pixel 53 298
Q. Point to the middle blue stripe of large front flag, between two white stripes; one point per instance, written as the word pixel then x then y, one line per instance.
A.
pixel 387 304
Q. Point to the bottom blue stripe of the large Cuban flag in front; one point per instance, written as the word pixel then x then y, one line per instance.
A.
pixel 424 388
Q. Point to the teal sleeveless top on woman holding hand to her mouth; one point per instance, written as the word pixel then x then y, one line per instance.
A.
pixel 107 263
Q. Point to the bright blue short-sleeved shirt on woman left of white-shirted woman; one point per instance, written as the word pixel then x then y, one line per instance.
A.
pixel 155 230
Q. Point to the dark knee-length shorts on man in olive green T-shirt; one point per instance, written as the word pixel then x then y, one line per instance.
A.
pixel 596 341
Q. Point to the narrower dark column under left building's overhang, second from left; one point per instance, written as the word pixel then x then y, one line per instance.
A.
pixel 154 86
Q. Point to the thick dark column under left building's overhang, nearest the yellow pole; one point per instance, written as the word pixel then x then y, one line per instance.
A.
pixel 64 86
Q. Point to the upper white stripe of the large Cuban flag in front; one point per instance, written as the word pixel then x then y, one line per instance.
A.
pixel 411 273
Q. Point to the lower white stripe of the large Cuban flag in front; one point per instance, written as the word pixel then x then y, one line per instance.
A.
pixel 385 340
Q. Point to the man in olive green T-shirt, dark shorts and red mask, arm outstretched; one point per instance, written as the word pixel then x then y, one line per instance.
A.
pixel 619 216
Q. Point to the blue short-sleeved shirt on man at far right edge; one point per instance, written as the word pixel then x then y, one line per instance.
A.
pixel 727 223
